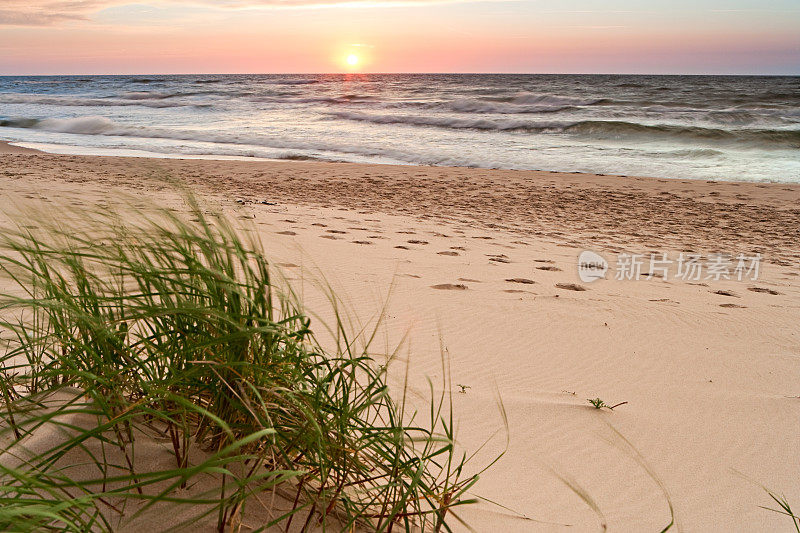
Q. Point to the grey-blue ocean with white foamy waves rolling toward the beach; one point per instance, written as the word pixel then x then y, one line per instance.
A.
pixel 704 127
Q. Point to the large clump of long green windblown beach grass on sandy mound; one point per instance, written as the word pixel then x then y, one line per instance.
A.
pixel 153 366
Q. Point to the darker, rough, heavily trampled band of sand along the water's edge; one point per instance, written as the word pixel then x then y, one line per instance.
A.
pixel 650 213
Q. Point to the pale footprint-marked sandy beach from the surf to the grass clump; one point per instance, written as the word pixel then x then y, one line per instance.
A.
pixel 483 264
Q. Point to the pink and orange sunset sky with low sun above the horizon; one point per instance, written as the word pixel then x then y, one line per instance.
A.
pixel 306 36
